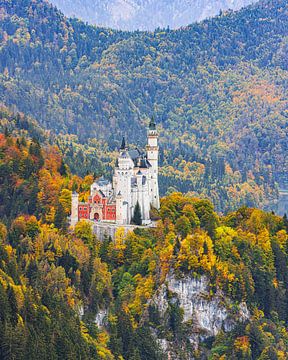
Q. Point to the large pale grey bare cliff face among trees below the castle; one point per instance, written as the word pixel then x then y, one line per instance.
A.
pixel 205 314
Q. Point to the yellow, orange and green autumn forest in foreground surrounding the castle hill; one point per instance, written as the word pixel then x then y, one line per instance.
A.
pixel 54 282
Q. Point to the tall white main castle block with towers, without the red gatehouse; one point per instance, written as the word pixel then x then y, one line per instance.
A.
pixel 136 180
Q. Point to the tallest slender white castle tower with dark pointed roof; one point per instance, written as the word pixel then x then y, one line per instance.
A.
pixel 152 156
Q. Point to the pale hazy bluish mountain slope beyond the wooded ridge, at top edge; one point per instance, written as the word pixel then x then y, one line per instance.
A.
pixel 145 14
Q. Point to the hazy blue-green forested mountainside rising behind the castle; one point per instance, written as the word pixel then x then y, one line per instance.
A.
pixel 217 90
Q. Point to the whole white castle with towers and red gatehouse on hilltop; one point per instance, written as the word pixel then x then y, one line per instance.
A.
pixel 134 185
